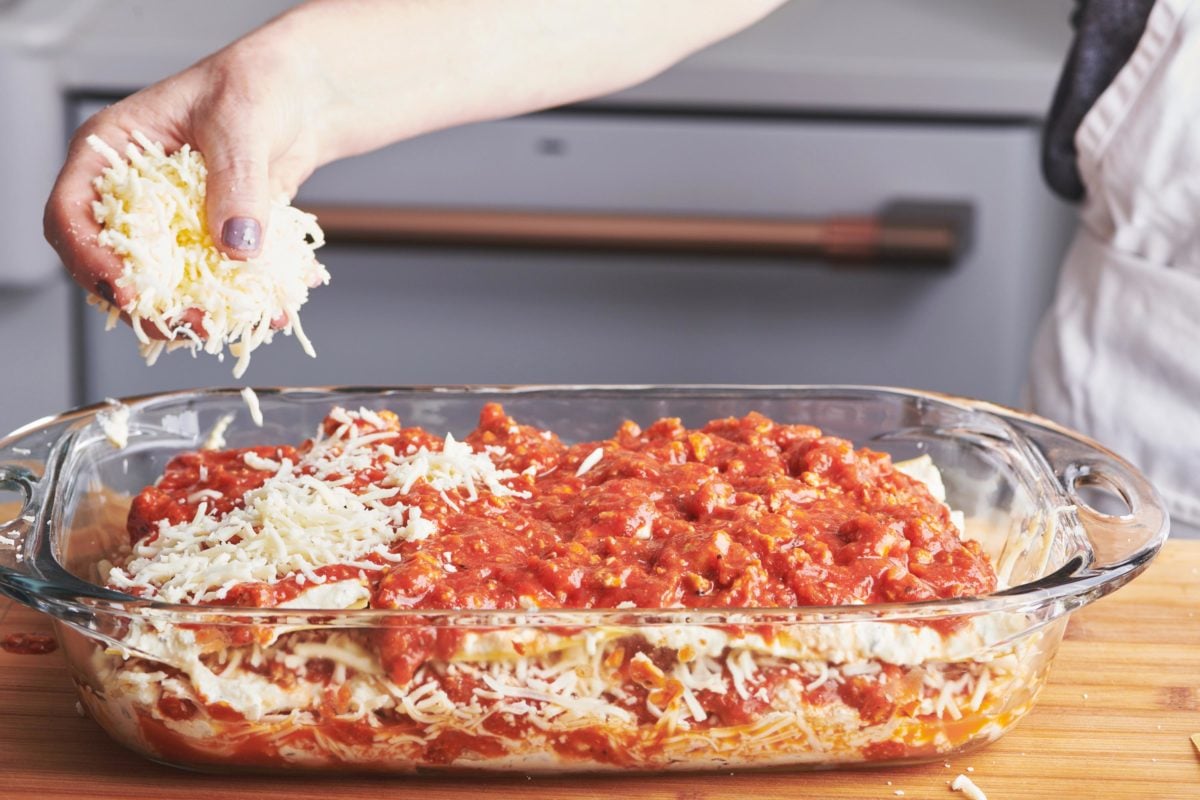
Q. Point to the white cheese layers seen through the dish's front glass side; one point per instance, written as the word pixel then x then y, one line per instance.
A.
pixel 572 687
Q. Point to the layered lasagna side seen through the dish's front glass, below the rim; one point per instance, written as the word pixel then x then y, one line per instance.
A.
pixel 577 701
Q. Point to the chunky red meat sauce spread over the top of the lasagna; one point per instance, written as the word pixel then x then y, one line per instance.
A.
pixel 742 513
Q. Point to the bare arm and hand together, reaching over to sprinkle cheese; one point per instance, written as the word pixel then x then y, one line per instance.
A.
pixel 334 79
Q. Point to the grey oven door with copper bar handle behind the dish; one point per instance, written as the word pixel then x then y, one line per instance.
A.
pixel 410 306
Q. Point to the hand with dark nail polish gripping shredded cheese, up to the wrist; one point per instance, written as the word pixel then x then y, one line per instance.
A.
pixel 244 110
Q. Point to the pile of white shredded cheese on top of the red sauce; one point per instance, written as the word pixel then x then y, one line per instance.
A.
pixel 298 521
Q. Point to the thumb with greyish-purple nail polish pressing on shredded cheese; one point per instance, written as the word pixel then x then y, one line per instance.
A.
pixel 238 194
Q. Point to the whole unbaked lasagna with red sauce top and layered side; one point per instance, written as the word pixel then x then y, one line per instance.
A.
pixel 649 601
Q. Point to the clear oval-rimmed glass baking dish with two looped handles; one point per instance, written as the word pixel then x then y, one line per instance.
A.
pixel 549 690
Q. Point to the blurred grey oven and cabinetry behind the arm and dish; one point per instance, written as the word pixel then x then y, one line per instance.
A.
pixel 837 119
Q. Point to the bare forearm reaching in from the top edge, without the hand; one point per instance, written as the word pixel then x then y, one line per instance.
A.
pixel 387 70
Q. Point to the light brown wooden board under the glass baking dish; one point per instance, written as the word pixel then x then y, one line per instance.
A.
pixel 1114 721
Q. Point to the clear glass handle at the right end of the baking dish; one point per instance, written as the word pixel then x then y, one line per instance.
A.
pixel 1121 513
